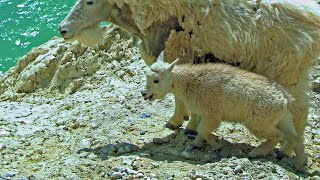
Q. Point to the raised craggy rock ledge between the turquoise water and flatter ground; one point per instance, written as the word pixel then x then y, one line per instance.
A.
pixel 61 67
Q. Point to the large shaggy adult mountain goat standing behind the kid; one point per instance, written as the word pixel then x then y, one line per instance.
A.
pixel 279 39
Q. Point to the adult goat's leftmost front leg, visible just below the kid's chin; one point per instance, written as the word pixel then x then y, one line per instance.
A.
pixel 179 116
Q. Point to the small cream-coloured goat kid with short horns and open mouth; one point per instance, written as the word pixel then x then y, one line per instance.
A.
pixel 220 92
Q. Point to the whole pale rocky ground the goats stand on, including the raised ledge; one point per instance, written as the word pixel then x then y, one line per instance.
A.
pixel 72 112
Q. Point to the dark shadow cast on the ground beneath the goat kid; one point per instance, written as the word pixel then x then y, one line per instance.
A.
pixel 174 147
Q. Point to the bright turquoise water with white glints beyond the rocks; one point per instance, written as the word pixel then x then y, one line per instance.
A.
pixel 28 23
